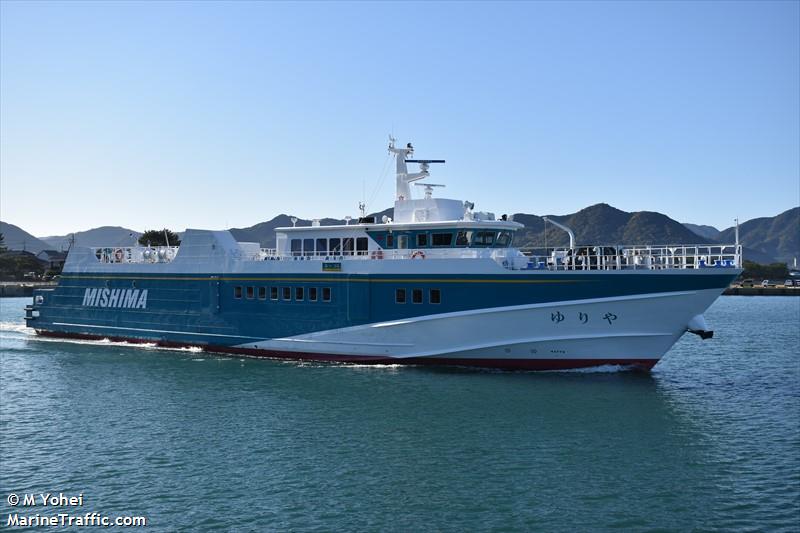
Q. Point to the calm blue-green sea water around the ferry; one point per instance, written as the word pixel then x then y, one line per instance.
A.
pixel 710 440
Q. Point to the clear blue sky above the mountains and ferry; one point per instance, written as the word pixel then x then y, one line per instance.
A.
pixel 215 115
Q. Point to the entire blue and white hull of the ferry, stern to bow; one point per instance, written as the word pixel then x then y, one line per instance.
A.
pixel 485 316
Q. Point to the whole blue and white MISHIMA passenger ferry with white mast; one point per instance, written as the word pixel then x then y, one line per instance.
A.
pixel 438 283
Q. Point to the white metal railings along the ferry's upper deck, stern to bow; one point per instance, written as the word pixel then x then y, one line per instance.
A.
pixel 638 257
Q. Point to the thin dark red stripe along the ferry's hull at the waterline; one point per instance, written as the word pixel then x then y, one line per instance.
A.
pixel 503 364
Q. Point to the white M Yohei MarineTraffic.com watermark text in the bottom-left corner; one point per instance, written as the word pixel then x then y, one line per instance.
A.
pixel 60 510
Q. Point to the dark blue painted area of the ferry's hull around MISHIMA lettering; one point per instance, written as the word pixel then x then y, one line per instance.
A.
pixel 203 309
